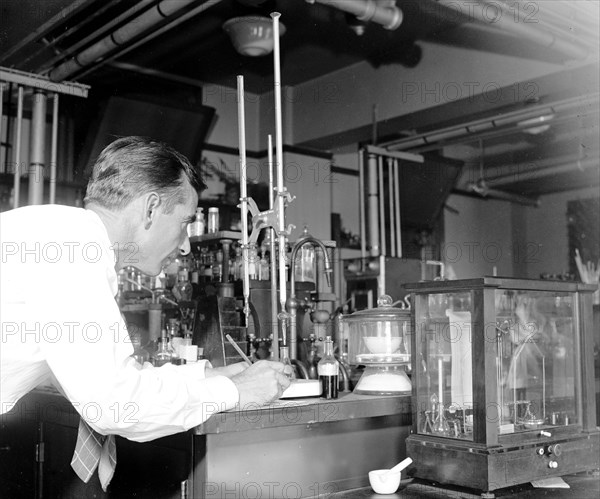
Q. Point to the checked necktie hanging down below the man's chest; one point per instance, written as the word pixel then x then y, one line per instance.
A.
pixel 94 451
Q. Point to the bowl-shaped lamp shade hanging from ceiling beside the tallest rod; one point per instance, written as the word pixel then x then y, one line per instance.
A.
pixel 252 35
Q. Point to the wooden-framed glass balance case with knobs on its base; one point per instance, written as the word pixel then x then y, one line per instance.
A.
pixel 503 381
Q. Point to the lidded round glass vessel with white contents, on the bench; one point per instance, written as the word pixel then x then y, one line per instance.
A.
pixel 379 339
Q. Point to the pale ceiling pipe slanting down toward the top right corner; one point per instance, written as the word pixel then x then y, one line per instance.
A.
pixel 497 15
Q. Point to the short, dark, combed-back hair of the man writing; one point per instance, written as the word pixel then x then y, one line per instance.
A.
pixel 130 167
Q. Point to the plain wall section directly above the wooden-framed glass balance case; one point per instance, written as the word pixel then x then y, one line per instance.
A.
pixel 520 241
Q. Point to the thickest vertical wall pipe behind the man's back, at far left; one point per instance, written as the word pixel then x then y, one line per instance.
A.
pixel 37 147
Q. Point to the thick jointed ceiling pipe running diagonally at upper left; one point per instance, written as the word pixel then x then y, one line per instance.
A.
pixel 120 37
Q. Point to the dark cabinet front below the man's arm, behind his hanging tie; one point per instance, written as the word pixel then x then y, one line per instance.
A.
pixel 37 440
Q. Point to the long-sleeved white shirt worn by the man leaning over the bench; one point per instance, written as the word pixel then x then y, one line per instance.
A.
pixel 60 320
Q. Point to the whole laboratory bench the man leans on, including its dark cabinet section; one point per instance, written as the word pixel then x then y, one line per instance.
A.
pixel 291 448
